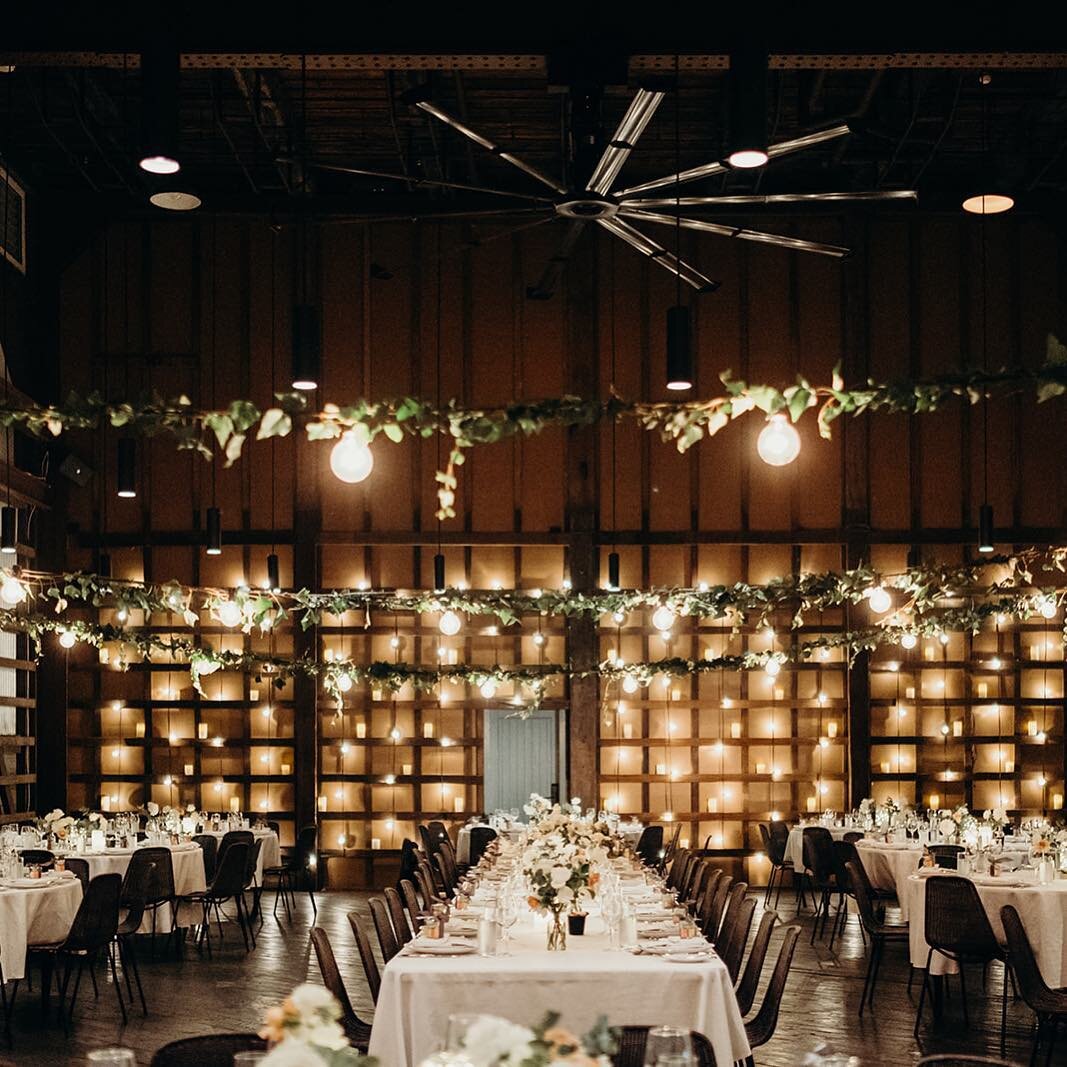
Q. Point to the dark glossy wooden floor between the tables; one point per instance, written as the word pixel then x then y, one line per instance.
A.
pixel 234 991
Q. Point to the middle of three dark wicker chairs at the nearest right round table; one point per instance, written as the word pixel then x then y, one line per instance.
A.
pixel 959 928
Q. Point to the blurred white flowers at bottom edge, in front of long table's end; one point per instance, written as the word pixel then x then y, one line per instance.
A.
pixel 492 1042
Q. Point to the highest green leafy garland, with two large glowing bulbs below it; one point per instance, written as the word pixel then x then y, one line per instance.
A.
pixel 684 423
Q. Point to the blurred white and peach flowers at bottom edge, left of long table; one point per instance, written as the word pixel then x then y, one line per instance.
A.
pixel 306 1031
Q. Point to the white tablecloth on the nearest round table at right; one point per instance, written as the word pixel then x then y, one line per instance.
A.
pixel 1042 909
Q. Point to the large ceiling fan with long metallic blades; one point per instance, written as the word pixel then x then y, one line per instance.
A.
pixel 617 211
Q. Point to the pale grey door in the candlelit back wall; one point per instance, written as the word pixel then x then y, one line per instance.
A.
pixel 521 758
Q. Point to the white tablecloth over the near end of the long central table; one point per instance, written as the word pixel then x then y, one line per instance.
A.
pixel 420 994
